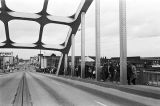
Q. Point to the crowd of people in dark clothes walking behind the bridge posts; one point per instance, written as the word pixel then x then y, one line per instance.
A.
pixel 109 72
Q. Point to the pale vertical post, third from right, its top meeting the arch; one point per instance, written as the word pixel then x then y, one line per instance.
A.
pixel 83 45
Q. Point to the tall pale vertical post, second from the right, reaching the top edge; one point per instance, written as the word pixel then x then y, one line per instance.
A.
pixel 97 38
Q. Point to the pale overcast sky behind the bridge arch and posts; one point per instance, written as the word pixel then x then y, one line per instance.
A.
pixel 143 23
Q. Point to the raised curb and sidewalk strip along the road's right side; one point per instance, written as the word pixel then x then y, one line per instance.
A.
pixel 142 90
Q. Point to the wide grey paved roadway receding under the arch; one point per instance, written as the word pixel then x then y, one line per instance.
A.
pixel 37 89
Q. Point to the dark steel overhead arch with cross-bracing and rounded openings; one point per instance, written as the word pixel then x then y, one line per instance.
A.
pixel 43 18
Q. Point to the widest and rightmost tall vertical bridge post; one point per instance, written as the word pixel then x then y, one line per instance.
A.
pixel 123 42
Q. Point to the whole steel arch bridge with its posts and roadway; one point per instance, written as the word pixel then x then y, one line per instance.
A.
pixel 27 87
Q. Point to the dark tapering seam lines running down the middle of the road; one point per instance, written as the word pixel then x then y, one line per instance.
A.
pixel 22 96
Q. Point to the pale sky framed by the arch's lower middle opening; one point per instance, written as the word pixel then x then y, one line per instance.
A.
pixel 24 31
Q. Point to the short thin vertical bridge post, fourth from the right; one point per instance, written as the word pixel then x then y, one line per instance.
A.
pixel 73 55
